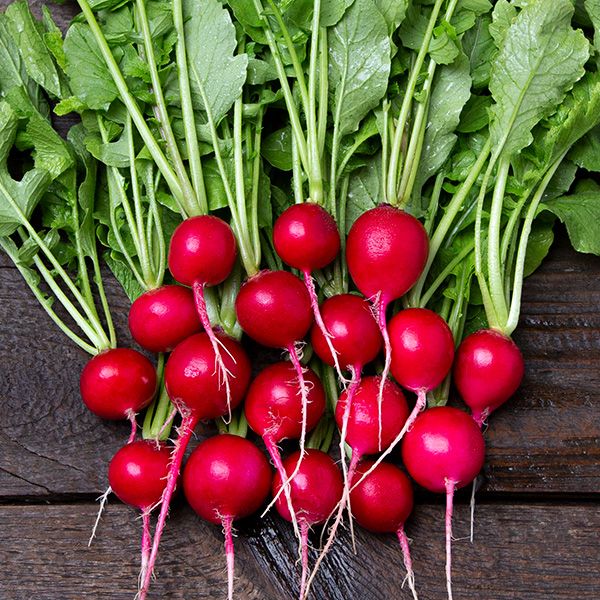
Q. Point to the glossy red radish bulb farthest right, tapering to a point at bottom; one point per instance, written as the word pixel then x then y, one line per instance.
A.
pixel 488 370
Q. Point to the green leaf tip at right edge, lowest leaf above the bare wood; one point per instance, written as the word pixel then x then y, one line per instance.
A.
pixel 580 212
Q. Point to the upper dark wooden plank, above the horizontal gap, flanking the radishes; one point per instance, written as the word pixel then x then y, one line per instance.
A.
pixel 546 440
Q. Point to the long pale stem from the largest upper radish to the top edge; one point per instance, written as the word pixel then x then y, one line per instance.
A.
pixel 394 168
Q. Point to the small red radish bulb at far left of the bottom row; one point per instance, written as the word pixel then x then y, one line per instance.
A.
pixel 138 473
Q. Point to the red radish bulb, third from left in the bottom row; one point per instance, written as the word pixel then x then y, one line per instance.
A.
pixel 315 490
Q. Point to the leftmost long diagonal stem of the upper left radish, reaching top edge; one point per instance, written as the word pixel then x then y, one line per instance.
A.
pixel 133 108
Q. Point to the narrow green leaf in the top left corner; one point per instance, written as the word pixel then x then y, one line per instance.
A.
pixel 36 58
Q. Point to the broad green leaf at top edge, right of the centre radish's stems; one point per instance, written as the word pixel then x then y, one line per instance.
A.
pixel 359 51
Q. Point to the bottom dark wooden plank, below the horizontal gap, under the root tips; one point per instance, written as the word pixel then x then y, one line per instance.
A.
pixel 520 551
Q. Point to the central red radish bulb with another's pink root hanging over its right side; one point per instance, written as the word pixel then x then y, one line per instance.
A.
pixel 274 407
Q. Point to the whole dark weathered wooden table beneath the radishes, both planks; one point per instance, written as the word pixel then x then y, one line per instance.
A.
pixel 537 528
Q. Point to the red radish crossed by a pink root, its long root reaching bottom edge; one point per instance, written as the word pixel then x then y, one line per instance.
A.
pixel 360 428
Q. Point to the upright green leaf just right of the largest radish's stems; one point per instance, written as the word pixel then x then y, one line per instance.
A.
pixel 451 90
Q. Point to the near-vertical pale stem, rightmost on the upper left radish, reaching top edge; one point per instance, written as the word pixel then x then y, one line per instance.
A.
pixel 187 110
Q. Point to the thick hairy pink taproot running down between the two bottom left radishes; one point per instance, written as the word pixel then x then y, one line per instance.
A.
pixel 188 424
